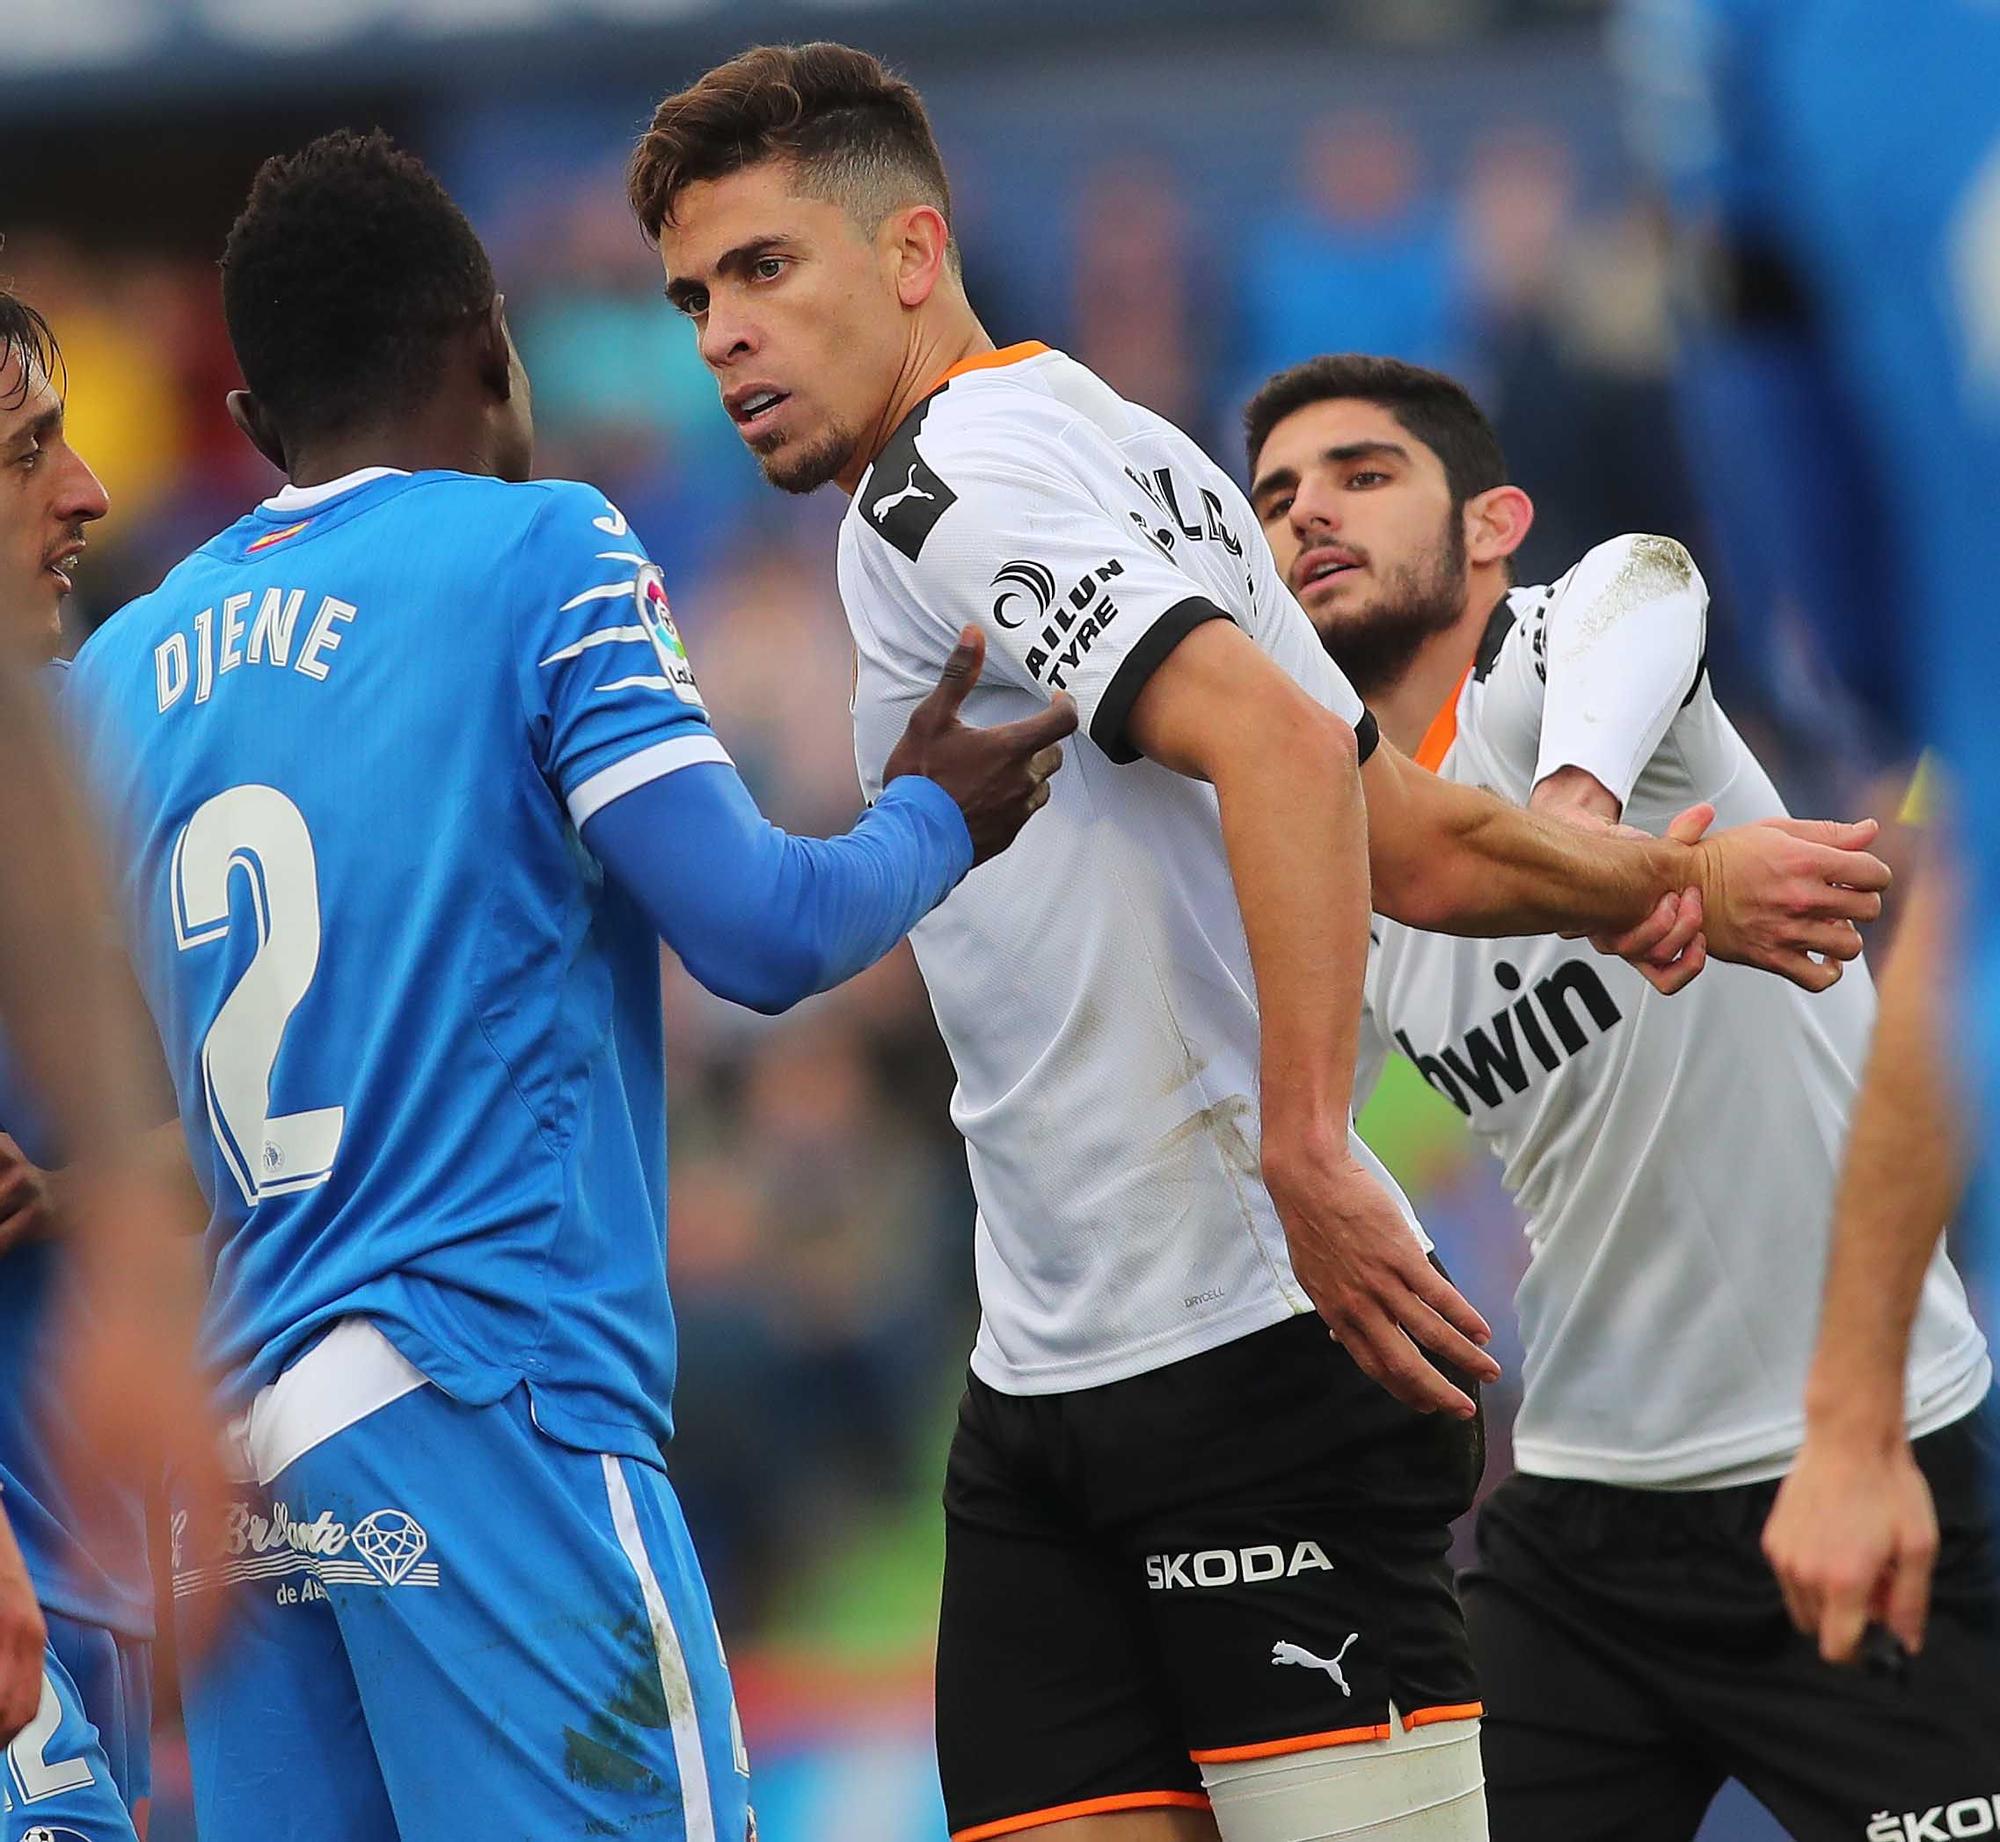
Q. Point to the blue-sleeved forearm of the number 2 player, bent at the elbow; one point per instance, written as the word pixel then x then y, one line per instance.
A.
pixel 767 919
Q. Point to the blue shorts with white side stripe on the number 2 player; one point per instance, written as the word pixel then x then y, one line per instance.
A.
pixel 447 1625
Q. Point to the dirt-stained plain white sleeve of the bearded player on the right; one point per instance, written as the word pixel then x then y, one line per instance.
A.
pixel 1625 645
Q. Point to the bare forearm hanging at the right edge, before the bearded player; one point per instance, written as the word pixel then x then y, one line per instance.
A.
pixel 1901 1181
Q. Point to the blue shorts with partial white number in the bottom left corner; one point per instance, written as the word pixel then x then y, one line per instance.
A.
pixel 85 1763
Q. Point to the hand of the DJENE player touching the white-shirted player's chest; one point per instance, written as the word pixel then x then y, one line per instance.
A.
pixel 999 777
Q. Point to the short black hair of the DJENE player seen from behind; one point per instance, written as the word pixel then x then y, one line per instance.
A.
pixel 343 279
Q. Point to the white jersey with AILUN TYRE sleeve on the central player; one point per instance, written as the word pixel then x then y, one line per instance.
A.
pixel 1093 983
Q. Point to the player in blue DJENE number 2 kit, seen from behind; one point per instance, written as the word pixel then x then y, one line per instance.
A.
pixel 415 777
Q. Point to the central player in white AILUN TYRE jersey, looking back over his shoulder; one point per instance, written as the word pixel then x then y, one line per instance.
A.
pixel 1193 1553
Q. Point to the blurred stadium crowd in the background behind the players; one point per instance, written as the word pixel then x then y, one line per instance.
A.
pixel 1463 209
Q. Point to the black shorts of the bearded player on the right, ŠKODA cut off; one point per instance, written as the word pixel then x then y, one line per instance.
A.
pixel 1635 1653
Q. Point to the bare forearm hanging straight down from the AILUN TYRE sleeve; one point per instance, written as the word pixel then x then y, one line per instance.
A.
pixel 1297 837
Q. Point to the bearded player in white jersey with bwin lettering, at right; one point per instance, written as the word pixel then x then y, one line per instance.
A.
pixel 1673 1159
